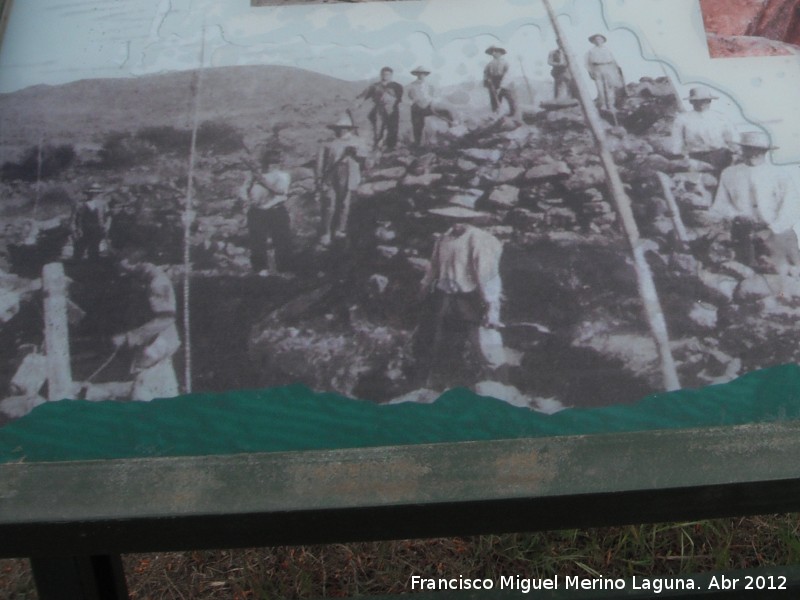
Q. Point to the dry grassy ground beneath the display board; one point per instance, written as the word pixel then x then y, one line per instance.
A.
pixel 386 567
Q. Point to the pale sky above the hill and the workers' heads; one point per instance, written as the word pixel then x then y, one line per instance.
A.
pixel 131 38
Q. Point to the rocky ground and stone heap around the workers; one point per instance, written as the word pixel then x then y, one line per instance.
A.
pixel 345 319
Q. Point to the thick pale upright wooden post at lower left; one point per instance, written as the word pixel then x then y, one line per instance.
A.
pixel 56 332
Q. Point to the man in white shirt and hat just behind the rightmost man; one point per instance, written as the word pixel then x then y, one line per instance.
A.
pixel 704 134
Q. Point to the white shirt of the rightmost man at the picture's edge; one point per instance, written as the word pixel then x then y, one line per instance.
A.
pixel 762 193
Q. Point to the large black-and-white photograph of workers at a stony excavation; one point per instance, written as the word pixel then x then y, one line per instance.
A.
pixel 530 210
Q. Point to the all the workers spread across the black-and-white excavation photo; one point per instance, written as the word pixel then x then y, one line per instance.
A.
pixel 462 285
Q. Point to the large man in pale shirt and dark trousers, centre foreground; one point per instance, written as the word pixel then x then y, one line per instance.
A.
pixel 462 291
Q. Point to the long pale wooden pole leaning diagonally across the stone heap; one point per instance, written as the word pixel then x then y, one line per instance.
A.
pixel 644 277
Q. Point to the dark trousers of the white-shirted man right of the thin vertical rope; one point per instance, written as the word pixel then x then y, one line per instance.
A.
pixel 265 225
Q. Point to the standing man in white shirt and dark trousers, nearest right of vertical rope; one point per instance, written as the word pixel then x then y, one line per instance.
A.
pixel 266 194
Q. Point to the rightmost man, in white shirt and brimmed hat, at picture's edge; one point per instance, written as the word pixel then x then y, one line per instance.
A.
pixel 763 205
